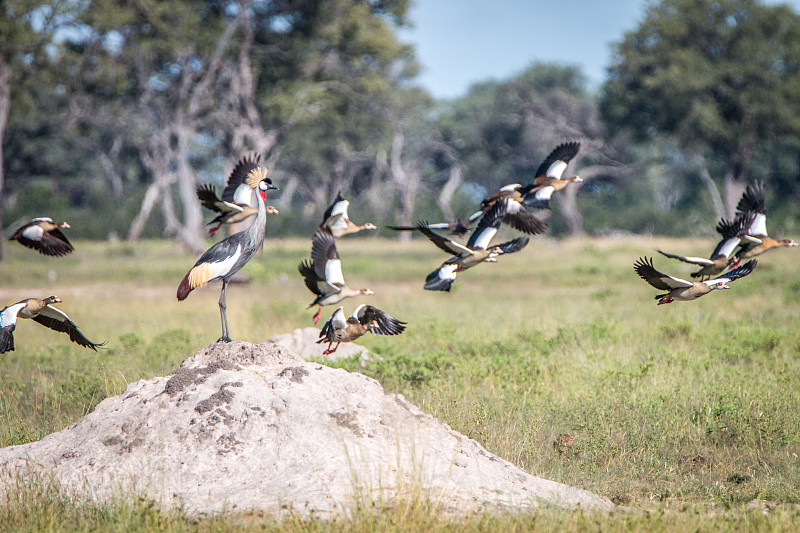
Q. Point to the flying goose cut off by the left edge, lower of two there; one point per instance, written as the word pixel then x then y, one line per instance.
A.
pixel 41 311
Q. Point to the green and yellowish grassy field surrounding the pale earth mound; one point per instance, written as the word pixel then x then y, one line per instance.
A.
pixel 686 411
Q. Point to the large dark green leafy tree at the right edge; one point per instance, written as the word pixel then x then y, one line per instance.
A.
pixel 720 77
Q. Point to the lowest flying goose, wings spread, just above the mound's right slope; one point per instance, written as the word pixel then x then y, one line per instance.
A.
pixel 364 319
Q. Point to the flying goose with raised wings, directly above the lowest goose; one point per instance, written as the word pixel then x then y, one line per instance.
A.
pixel 323 275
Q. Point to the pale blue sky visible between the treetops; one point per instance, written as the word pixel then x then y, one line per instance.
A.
pixel 460 42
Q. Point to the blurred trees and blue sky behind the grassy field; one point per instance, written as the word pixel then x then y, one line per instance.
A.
pixel 113 111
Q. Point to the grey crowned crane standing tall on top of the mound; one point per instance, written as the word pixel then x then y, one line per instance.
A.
pixel 229 255
